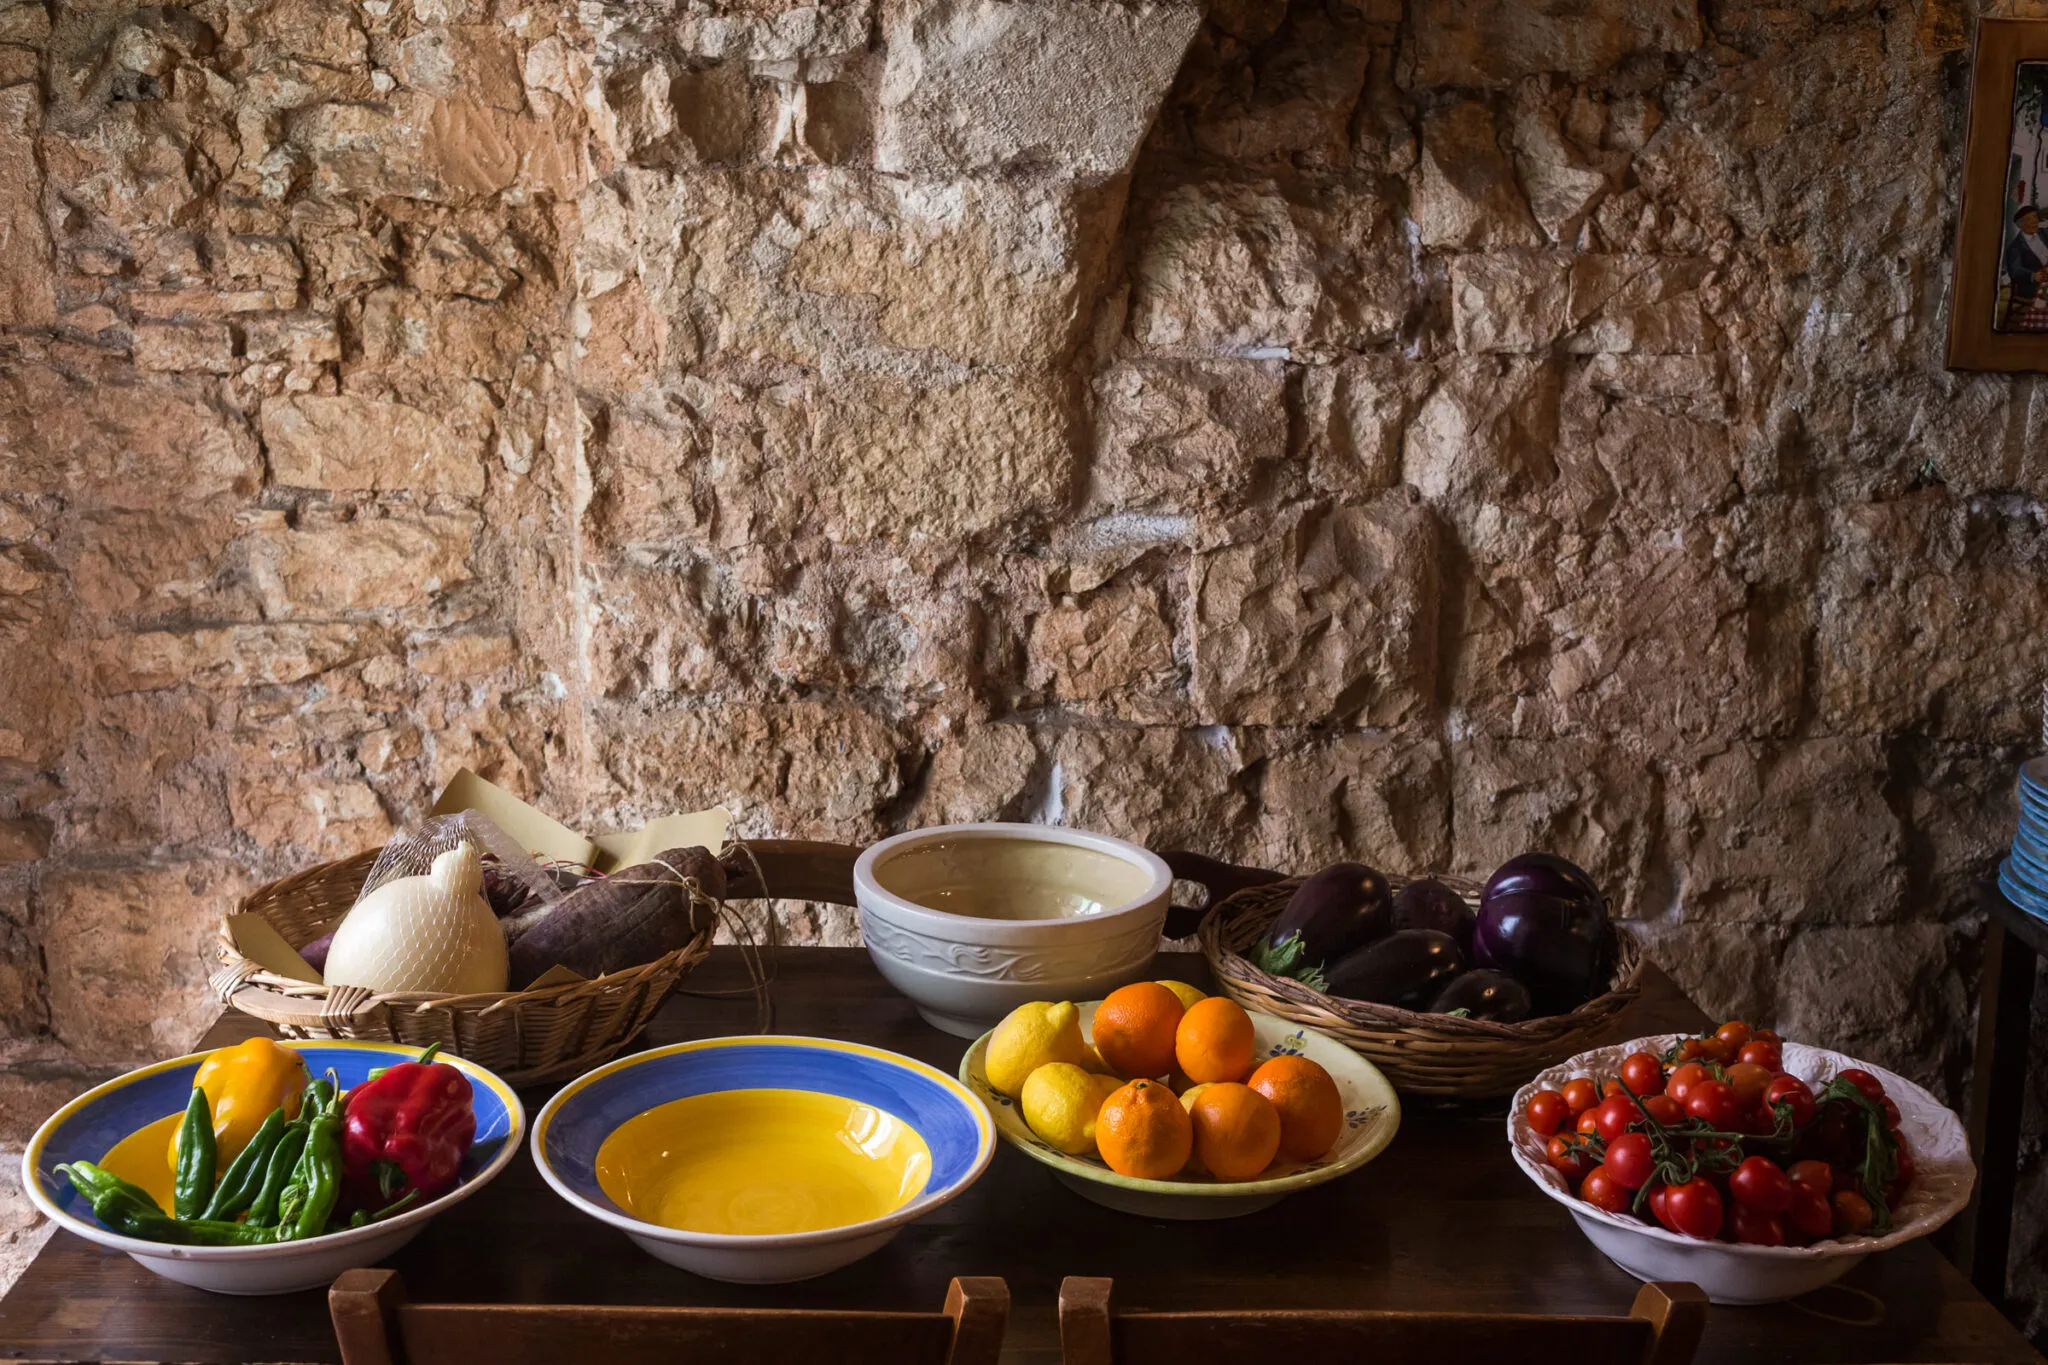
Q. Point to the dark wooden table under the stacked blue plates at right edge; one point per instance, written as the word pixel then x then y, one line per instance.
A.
pixel 2014 944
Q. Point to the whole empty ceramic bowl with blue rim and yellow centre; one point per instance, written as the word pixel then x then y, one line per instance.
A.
pixel 763 1159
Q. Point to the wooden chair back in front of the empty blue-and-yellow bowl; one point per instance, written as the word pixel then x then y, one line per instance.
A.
pixel 378 1327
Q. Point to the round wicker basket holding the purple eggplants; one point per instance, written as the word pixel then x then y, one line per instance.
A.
pixel 1422 1055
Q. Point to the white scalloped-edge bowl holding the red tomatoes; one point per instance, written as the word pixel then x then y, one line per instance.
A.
pixel 1734 1274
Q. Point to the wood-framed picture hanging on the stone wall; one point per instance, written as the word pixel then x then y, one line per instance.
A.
pixel 1998 316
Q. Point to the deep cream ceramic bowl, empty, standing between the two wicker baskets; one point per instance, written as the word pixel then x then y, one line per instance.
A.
pixel 972 922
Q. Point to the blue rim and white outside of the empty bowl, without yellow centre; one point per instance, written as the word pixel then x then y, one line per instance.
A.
pixel 591 1108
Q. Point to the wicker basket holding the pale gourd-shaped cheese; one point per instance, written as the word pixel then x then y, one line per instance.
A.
pixel 525 1037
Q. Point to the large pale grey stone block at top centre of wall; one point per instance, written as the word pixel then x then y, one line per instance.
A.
pixel 990 85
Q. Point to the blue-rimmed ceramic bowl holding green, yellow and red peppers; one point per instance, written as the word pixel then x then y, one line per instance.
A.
pixel 97 1120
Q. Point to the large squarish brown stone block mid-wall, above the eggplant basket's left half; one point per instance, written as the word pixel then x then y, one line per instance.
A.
pixel 1330 619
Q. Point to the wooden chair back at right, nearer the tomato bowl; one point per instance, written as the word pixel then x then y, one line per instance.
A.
pixel 1662 1329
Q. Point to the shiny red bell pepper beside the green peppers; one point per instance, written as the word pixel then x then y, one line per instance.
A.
pixel 407 1129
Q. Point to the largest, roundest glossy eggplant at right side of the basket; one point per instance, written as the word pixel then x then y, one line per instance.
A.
pixel 1545 924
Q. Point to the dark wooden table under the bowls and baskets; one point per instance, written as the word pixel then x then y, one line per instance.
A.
pixel 1441 1221
